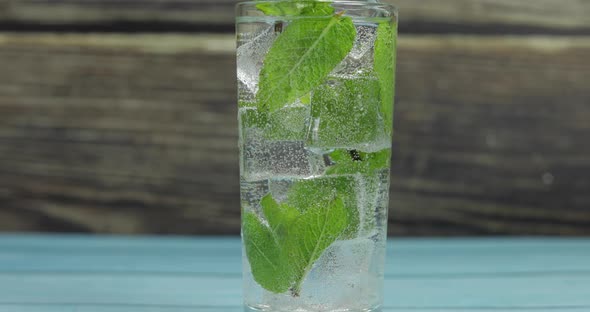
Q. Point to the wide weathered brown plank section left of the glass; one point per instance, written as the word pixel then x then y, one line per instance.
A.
pixel 125 133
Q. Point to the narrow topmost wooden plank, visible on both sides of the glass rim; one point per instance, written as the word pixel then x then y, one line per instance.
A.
pixel 457 16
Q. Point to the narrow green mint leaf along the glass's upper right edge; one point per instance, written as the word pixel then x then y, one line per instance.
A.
pixel 385 57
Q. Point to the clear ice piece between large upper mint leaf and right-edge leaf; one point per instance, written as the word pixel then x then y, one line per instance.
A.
pixel 359 60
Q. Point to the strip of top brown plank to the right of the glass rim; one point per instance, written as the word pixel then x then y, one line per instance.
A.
pixel 497 16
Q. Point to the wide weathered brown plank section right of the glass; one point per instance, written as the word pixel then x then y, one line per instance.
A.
pixel 501 121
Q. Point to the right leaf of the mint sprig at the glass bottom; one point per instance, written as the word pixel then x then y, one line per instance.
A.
pixel 309 237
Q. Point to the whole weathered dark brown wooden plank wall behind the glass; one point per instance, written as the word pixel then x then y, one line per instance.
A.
pixel 119 116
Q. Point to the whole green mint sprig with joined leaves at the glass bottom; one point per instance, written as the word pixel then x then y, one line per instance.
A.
pixel 283 252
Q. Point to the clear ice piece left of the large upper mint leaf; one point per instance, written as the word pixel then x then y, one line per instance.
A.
pixel 250 57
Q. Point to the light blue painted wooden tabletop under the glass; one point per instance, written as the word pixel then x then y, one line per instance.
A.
pixel 40 273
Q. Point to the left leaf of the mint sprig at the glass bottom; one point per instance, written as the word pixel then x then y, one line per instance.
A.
pixel 265 255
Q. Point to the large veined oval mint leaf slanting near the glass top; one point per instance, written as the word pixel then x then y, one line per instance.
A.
pixel 301 58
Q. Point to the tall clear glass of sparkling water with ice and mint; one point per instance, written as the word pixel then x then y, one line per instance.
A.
pixel 315 92
